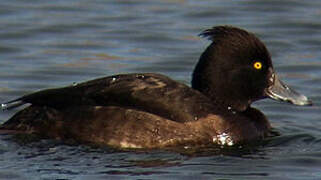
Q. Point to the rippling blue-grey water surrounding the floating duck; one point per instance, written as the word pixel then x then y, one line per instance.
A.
pixel 47 44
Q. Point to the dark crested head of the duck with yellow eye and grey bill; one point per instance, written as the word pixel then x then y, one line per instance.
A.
pixel 236 69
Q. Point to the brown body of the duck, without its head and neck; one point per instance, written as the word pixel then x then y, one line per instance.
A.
pixel 133 111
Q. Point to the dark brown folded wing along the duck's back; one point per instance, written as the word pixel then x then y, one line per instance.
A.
pixel 153 93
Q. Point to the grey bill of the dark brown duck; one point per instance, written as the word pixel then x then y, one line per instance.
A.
pixel 281 92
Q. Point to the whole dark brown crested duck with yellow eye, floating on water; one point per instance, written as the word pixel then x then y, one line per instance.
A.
pixel 151 110
